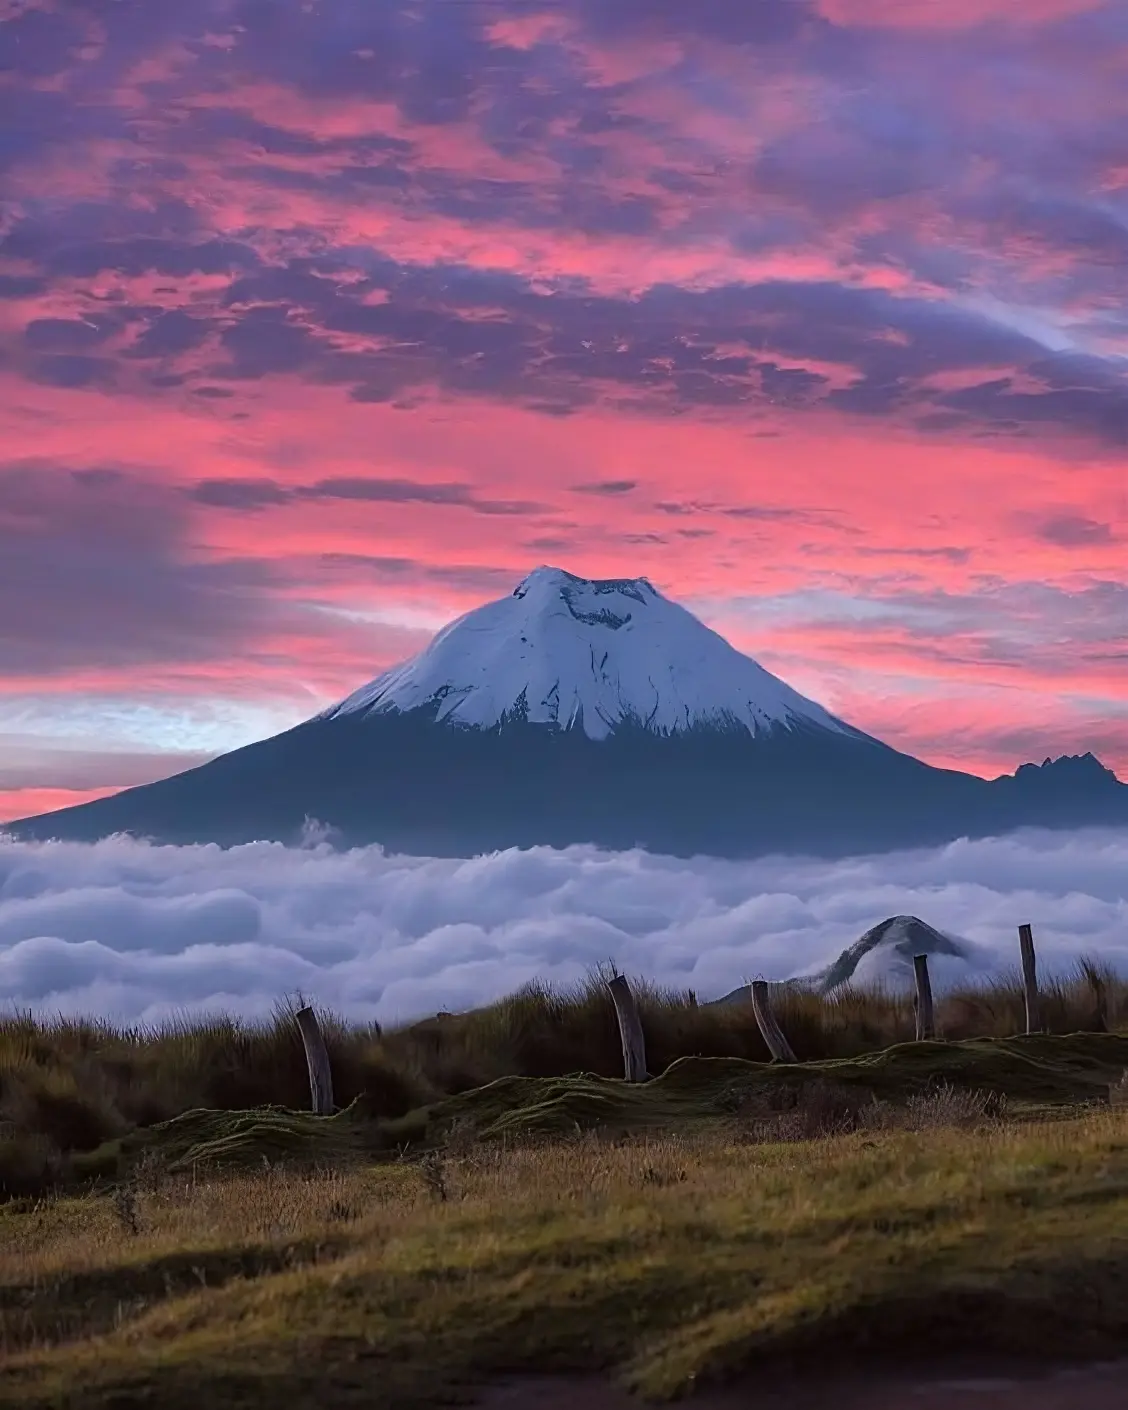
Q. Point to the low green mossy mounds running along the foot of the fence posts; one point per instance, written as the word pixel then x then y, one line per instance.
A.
pixel 1036 1072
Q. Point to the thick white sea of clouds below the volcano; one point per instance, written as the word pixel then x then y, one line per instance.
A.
pixel 140 934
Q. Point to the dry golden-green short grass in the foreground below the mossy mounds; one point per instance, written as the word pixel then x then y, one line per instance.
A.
pixel 669 1261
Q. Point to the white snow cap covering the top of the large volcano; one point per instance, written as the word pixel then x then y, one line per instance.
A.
pixel 587 655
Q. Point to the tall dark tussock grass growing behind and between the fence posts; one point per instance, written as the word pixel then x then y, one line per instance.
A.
pixel 71 1092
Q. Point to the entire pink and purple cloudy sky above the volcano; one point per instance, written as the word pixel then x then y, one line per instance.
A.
pixel 318 329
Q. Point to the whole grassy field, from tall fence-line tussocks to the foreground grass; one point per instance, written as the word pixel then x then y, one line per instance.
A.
pixel 491 1198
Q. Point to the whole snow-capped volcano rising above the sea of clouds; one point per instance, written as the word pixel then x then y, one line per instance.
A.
pixel 597 713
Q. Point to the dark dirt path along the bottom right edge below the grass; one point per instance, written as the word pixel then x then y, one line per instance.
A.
pixel 955 1388
